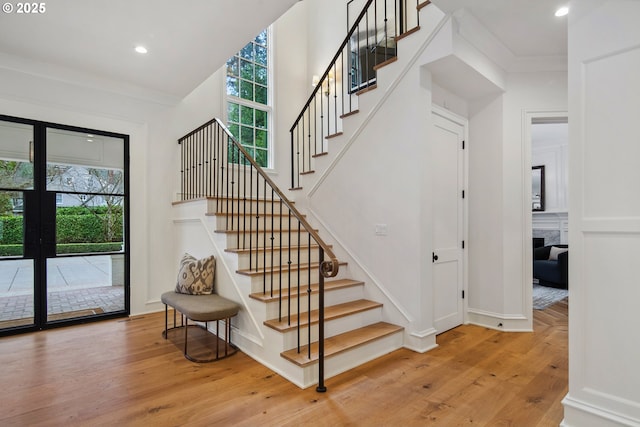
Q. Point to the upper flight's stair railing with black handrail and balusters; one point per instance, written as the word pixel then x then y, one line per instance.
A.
pixel 370 44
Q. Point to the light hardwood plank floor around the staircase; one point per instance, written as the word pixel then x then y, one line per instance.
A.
pixel 124 373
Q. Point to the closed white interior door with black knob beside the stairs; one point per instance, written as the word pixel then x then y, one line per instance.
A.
pixel 448 223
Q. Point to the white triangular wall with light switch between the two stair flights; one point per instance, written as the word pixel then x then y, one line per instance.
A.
pixel 379 181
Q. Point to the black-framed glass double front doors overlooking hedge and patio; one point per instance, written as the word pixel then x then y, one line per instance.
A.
pixel 63 235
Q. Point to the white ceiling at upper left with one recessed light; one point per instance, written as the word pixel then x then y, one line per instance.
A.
pixel 95 39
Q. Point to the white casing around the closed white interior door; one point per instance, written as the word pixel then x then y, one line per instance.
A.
pixel 464 123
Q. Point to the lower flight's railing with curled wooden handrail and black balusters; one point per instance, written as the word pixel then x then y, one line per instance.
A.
pixel 264 224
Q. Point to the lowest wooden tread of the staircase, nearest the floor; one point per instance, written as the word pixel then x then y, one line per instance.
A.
pixel 341 343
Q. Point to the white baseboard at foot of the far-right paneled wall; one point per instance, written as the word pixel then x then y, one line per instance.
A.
pixel 578 413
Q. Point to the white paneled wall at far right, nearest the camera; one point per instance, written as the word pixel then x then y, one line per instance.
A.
pixel 604 100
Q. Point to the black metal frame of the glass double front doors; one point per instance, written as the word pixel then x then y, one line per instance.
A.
pixel 43 212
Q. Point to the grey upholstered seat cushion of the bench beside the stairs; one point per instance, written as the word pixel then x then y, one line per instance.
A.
pixel 201 308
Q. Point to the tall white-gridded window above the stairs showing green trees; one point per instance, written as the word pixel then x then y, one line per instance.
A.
pixel 249 97
